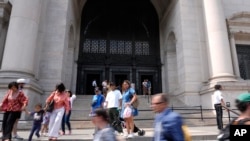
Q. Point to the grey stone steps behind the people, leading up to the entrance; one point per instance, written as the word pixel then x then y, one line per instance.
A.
pixel 81 108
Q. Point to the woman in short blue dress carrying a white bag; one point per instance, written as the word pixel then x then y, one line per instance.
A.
pixel 128 98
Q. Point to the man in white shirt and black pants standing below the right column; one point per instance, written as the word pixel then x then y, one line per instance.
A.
pixel 218 102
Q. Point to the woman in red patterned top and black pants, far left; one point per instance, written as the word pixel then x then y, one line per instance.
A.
pixel 13 102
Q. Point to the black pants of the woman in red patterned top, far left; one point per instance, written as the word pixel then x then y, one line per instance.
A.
pixel 9 119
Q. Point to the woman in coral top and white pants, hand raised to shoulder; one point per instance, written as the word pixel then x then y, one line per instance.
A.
pixel 61 105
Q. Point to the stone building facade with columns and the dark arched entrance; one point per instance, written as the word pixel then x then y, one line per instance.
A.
pixel 183 47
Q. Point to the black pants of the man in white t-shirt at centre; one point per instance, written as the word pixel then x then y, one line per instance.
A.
pixel 114 119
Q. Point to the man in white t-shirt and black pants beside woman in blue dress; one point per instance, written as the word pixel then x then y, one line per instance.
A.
pixel 113 103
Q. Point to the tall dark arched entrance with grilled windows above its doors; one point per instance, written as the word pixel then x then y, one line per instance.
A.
pixel 119 40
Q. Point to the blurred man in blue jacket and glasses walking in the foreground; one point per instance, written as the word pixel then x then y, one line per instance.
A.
pixel 168 124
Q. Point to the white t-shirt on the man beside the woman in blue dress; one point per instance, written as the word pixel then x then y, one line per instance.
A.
pixel 113 98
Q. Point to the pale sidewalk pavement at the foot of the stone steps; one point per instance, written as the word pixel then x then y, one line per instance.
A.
pixel 198 133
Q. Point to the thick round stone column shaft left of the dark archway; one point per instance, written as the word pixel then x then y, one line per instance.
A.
pixel 21 42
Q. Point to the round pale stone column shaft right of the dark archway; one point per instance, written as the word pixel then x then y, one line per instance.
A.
pixel 221 68
